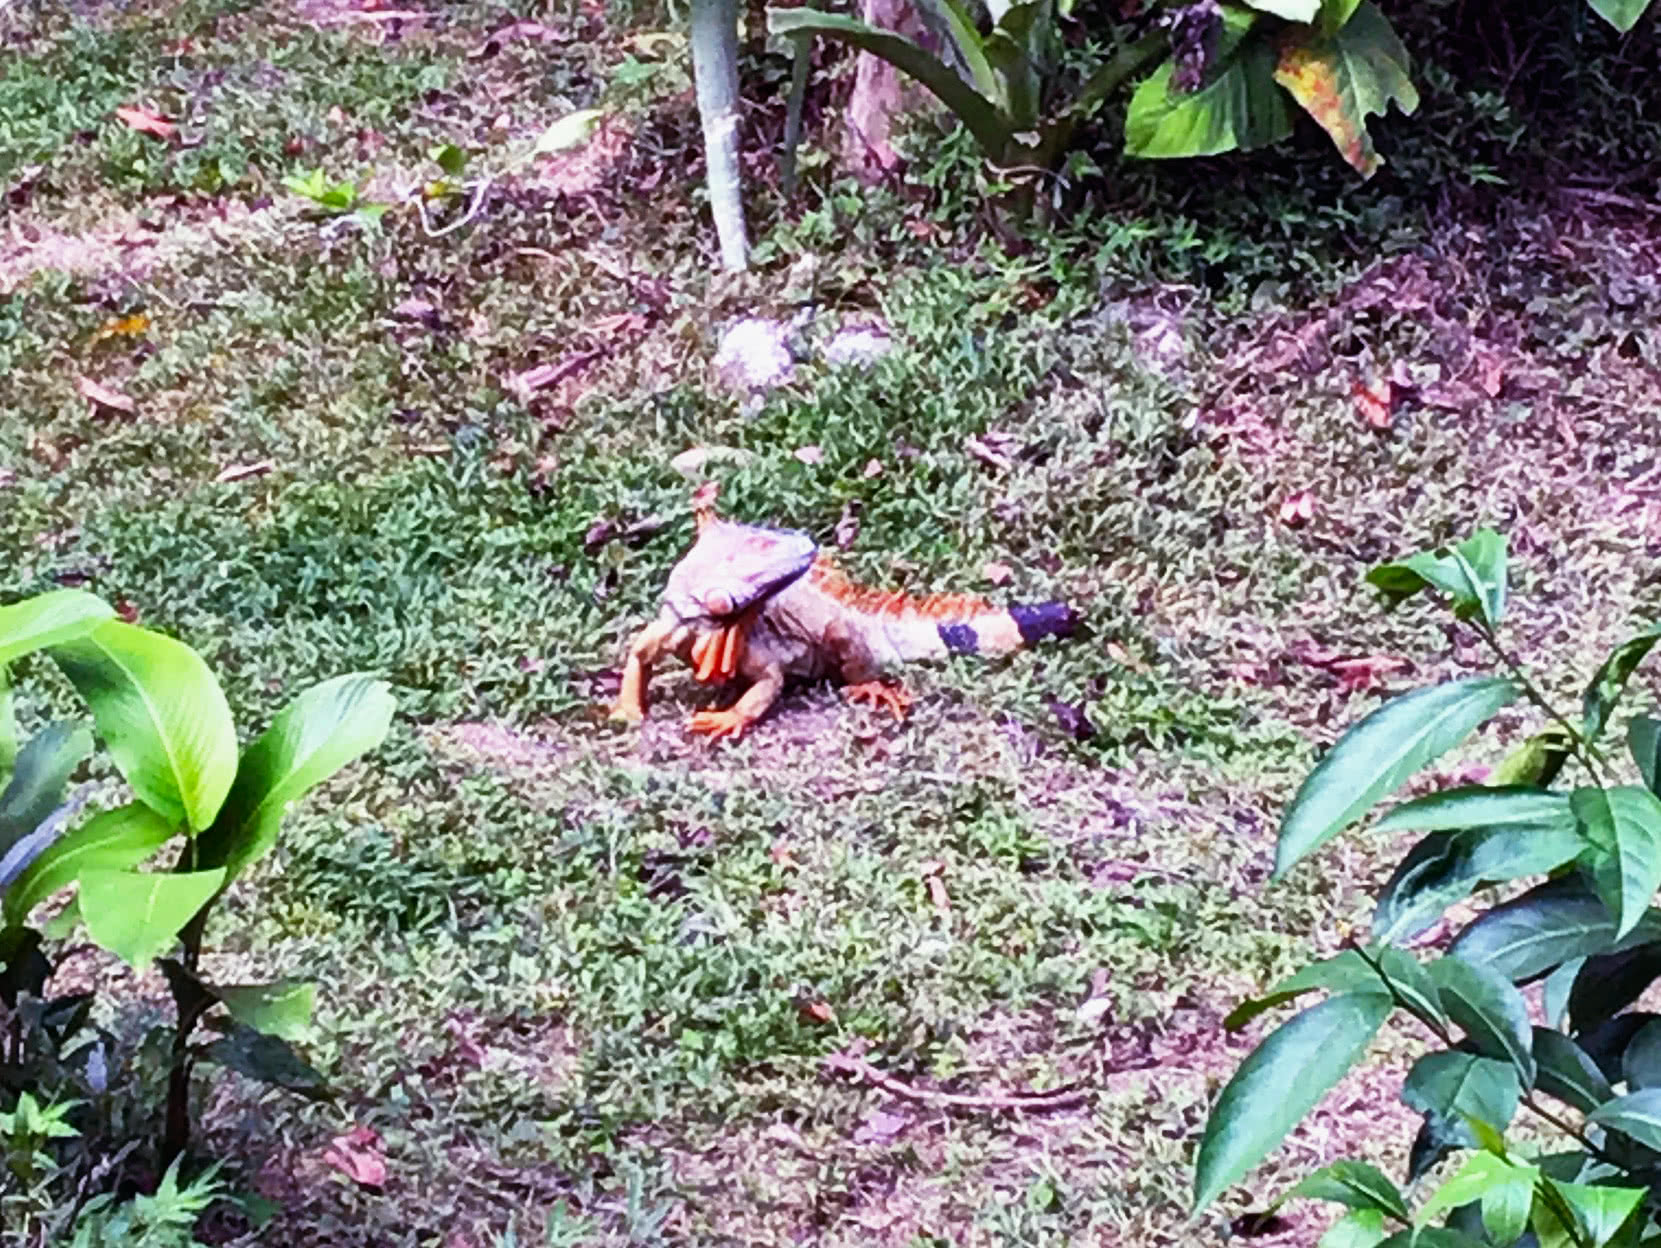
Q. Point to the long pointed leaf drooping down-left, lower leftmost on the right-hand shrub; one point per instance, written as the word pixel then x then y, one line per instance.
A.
pixel 1281 1081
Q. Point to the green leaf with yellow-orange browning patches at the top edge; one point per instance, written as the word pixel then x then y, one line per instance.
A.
pixel 1341 79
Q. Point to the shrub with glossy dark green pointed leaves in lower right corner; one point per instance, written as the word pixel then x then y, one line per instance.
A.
pixel 1592 1074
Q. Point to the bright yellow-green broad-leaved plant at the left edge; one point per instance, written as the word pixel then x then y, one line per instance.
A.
pixel 169 732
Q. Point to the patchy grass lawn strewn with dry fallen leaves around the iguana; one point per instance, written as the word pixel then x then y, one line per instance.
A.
pixel 348 350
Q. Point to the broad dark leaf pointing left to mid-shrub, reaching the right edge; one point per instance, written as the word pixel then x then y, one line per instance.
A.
pixel 1549 925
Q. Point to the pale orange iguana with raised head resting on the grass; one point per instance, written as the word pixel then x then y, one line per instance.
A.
pixel 767 606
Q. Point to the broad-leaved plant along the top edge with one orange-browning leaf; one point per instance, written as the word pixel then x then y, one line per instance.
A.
pixel 1225 76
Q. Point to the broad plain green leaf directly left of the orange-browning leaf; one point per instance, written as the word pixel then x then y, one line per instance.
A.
pixel 1238 107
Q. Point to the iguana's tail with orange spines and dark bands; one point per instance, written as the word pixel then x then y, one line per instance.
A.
pixel 943 624
